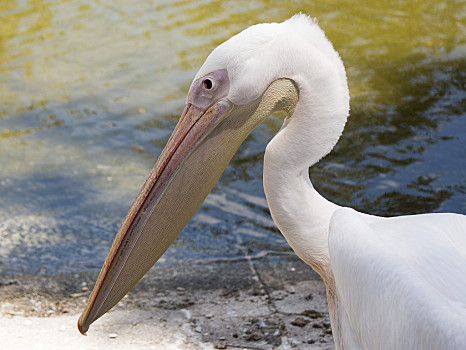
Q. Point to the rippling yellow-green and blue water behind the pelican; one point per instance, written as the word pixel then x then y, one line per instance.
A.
pixel 91 90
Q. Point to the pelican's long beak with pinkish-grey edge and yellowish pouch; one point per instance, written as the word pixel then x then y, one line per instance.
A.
pixel 198 151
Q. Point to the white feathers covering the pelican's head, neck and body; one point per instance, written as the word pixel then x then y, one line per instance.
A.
pixel 392 283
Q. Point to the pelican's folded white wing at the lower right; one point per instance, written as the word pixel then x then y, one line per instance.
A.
pixel 401 281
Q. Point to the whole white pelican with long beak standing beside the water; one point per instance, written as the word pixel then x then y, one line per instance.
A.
pixel 392 283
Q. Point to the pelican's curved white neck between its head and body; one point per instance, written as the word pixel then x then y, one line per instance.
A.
pixel 299 211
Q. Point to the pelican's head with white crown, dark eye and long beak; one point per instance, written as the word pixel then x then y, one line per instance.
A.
pixel 243 81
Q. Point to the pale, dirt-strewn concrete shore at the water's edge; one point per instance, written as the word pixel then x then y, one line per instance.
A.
pixel 264 303
